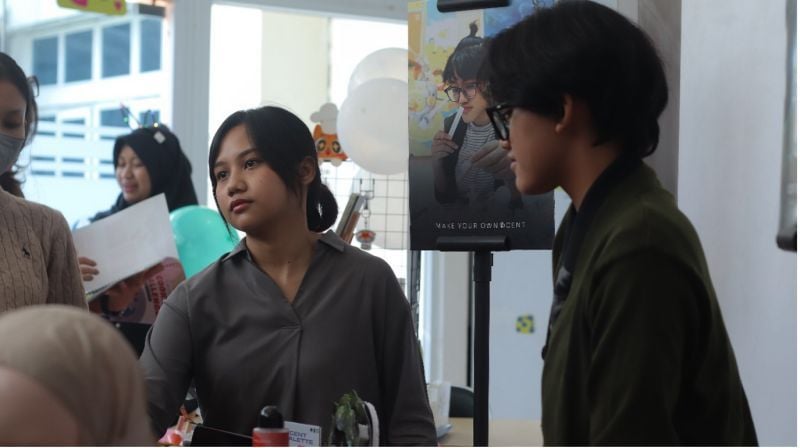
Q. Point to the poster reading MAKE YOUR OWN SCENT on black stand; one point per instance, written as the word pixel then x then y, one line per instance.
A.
pixel 460 180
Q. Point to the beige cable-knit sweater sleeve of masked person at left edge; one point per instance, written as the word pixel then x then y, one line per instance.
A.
pixel 63 273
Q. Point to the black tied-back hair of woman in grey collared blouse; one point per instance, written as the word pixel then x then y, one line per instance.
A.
pixel 283 141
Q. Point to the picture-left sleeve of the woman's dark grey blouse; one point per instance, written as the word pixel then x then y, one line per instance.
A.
pixel 167 360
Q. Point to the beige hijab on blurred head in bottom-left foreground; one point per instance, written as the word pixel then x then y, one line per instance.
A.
pixel 83 361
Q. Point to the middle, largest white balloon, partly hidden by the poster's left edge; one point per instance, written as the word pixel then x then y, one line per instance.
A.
pixel 373 126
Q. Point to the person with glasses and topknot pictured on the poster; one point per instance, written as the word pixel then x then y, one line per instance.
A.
pixel 469 164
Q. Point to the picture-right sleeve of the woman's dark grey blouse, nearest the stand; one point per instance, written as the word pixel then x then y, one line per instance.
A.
pixel 407 418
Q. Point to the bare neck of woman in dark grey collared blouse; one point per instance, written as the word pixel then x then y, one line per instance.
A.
pixel 284 251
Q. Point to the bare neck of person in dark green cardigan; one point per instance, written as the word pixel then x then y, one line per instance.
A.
pixel 586 165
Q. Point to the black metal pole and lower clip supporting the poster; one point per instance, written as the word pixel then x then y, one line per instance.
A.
pixel 482 276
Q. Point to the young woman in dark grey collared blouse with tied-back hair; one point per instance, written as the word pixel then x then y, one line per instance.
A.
pixel 292 316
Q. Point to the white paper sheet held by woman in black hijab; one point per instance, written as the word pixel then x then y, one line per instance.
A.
pixel 127 242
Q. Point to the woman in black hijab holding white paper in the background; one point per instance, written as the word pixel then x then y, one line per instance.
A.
pixel 147 162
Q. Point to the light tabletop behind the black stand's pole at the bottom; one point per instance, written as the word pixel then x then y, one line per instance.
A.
pixel 501 433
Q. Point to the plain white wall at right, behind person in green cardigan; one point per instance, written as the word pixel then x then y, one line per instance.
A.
pixel 732 93
